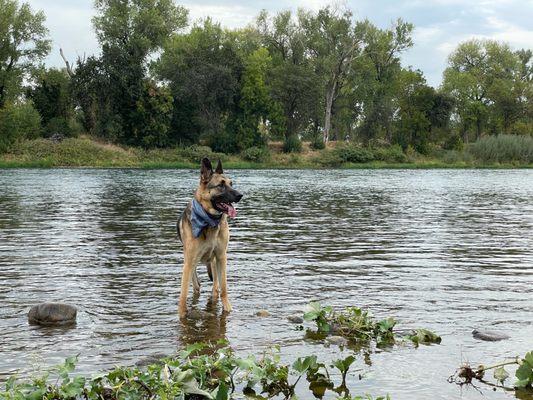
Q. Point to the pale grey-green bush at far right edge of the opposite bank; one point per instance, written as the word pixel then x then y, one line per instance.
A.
pixel 503 148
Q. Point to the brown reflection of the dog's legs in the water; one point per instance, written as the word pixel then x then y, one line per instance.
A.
pixel 202 325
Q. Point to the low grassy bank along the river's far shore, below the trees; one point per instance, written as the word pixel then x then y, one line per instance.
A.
pixel 85 151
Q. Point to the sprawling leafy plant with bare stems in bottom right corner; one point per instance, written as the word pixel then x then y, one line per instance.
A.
pixel 524 373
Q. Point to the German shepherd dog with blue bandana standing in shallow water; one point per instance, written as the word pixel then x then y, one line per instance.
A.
pixel 203 230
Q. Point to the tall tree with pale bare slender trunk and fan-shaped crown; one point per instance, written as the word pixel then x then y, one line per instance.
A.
pixel 334 41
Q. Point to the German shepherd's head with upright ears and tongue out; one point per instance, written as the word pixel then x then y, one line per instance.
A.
pixel 215 192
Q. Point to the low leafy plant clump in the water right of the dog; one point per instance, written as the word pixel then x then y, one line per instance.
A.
pixel 358 325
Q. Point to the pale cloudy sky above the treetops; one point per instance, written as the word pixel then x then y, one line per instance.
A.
pixel 440 25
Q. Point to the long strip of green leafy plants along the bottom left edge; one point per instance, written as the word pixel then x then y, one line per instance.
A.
pixel 197 372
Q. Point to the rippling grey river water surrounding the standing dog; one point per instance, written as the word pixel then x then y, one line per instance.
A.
pixel 447 250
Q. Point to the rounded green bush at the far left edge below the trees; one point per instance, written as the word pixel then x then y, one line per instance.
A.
pixel 18 122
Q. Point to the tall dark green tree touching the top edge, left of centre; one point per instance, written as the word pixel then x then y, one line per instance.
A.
pixel 129 31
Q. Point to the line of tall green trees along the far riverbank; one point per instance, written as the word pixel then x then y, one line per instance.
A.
pixel 318 76
